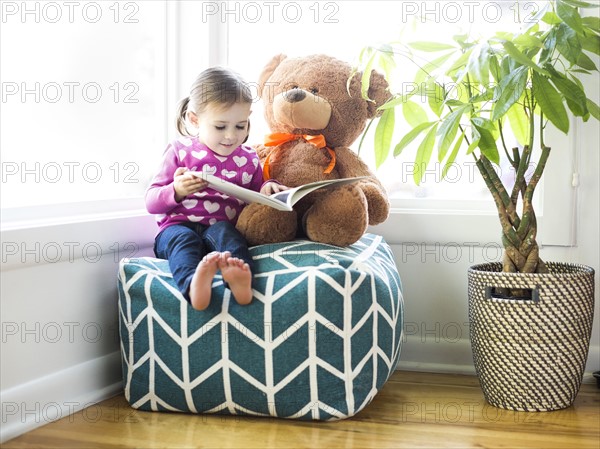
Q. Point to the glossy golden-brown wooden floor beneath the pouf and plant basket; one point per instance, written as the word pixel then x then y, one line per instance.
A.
pixel 413 410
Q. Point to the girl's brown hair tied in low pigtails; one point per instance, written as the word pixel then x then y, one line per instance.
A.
pixel 216 86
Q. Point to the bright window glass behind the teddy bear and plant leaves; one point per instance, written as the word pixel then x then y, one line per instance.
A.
pixel 343 29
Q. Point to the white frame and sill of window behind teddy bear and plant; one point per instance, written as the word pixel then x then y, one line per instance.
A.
pixel 469 222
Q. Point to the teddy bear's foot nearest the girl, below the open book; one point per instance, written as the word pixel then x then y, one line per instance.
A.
pixel 262 224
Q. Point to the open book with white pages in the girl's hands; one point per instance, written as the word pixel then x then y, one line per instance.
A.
pixel 281 200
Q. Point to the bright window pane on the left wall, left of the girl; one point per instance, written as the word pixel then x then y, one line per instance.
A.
pixel 83 101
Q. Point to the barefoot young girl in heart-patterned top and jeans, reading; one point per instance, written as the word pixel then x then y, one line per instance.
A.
pixel 197 231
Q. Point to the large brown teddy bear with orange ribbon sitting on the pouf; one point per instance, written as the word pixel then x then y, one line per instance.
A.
pixel 315 113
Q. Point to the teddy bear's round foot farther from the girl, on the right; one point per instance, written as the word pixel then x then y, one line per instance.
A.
pixel 339 218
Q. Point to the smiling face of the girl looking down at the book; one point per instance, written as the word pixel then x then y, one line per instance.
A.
pixel 222 130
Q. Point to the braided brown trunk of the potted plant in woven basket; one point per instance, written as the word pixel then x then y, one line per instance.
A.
pixel 519 228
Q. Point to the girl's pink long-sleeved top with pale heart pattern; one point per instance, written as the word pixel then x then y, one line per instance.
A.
pixel 242 167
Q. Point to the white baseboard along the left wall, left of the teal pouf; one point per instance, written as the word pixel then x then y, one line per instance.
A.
pixel 47 399
